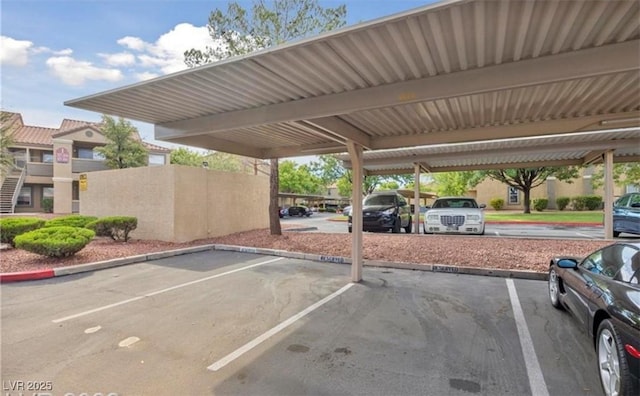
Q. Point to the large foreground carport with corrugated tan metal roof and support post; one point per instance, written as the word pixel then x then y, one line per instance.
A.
pixel 451 72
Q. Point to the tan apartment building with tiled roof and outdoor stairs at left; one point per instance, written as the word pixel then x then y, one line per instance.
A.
pixel 49 162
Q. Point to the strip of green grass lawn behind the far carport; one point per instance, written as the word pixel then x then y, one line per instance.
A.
pixel 543 217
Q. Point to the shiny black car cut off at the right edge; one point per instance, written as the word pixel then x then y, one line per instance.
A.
pixel 602 292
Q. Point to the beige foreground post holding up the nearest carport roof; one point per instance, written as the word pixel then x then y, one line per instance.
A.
pixel 355 152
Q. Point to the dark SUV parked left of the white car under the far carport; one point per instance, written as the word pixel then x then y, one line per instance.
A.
pixel 384 211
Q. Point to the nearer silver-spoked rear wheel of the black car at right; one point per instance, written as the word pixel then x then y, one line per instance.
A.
pixel 612 364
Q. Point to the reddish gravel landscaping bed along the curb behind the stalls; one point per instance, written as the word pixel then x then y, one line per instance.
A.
pixel 478 252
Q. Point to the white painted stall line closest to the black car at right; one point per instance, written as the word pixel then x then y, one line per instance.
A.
pixel 536 379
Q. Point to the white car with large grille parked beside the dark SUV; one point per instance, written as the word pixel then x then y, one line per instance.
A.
pixel 456 215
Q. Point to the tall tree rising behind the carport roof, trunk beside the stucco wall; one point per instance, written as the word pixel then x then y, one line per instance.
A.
pixel 239 32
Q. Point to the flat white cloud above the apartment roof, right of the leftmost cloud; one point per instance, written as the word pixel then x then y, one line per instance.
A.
pixel 74 72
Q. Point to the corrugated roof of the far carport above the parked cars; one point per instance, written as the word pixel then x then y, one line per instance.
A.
pixel 556 150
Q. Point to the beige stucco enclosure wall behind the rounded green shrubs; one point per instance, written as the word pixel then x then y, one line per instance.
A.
pixel 179 203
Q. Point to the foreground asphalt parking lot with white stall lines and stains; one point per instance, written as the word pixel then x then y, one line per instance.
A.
pixel 221 322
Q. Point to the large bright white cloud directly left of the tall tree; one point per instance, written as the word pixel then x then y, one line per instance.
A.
pixel 166 55
